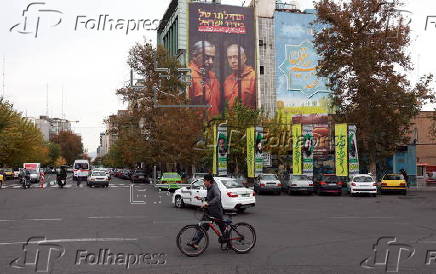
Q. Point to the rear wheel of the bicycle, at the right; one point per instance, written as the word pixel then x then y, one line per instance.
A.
pixel 242 238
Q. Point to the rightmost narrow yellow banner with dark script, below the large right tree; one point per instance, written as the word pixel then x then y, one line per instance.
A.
pixel 341 145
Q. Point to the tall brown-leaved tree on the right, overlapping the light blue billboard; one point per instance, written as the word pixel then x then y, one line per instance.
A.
pixel 363 46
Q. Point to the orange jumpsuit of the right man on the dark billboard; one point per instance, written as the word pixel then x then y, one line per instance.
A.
pixel 248 88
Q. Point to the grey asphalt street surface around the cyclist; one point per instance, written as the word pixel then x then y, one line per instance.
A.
pixel 295 234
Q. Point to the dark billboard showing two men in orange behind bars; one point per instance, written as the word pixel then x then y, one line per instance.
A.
pixel 221 56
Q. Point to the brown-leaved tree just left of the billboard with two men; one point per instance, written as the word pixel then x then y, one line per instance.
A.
pixel 149 133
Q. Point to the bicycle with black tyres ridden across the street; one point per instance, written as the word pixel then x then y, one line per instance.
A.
pixel 241 236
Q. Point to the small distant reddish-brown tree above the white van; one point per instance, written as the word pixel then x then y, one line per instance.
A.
pixel 71 145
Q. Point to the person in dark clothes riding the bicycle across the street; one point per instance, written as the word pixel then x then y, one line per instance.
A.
pixel 214 209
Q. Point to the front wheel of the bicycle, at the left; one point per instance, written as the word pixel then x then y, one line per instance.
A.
pixel 186 235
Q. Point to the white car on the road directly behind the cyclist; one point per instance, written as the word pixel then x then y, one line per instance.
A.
pixel 234 196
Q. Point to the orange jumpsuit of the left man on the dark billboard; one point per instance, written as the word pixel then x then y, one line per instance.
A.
pixel 211 90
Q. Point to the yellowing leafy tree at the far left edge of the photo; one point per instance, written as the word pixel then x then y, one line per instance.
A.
pixel 20 140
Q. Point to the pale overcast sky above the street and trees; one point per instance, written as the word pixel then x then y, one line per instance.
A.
pixel 89 65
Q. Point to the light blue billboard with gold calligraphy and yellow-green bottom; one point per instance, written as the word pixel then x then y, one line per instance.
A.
pixel 299 90
